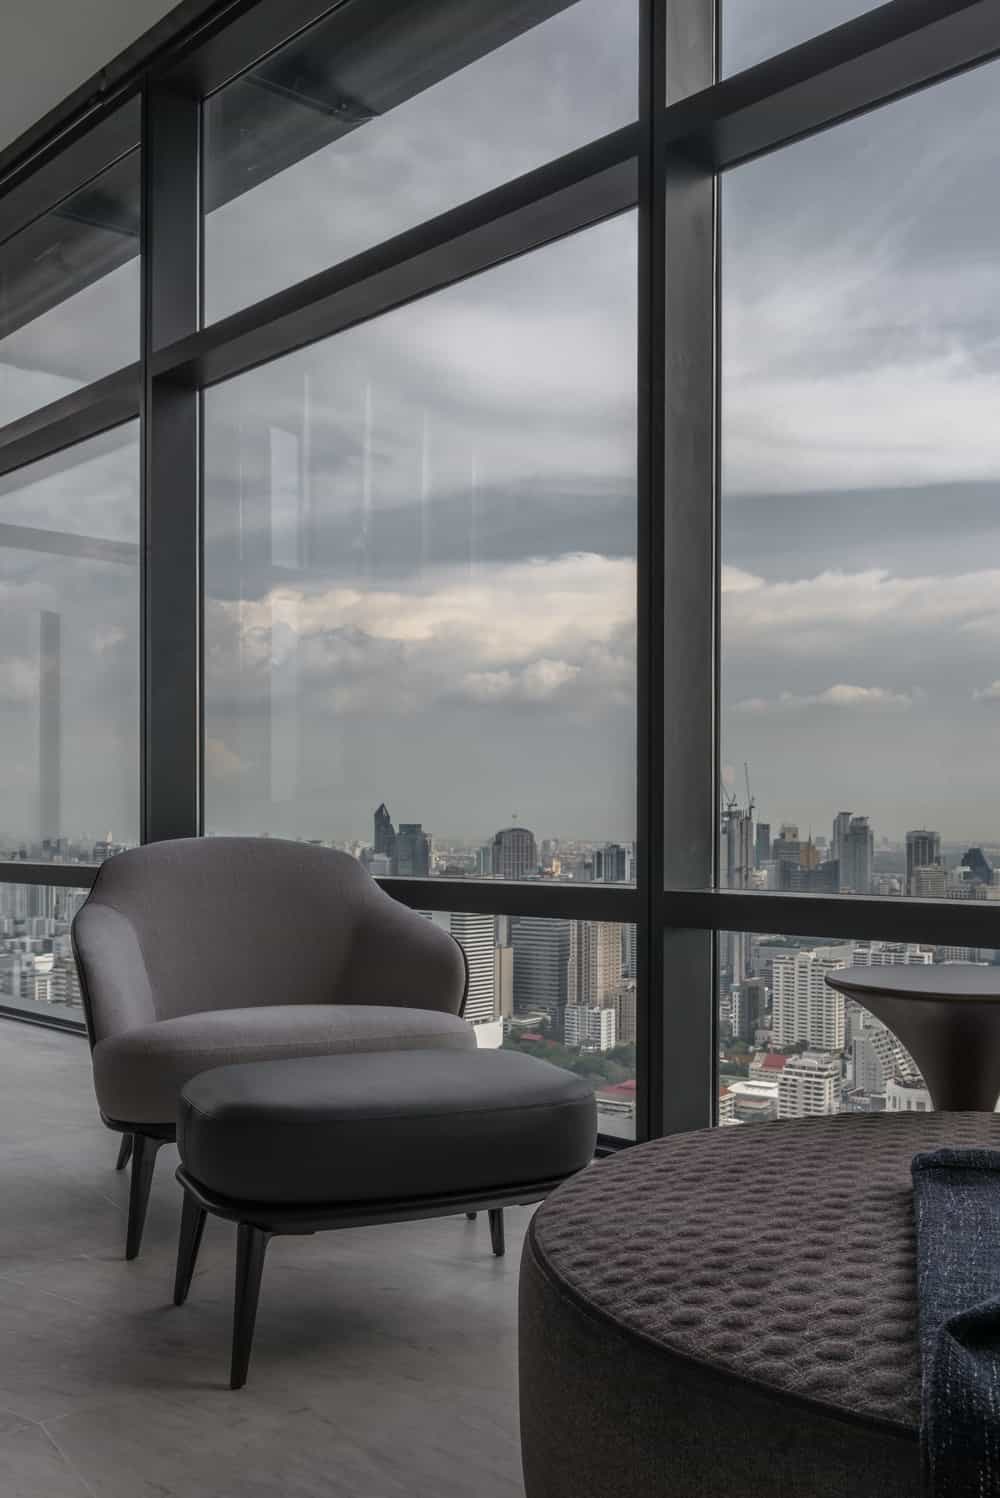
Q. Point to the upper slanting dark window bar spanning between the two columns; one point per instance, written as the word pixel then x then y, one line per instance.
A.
pixel 592 184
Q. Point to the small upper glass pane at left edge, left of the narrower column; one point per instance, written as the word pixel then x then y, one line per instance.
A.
pixel 70 293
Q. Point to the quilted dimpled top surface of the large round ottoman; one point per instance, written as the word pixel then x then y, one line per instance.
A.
pixel 781 1253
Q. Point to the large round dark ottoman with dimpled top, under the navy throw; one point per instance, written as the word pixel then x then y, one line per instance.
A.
pixel 733 1313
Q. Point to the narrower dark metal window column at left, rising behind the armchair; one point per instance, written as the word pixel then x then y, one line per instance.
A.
pixel 171 525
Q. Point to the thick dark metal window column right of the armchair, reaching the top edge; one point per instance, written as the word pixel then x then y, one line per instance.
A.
pixel 677 573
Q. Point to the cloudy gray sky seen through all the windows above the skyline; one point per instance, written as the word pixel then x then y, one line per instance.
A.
pixel 421 536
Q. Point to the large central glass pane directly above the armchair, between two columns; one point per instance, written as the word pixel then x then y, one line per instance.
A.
pixel 420 573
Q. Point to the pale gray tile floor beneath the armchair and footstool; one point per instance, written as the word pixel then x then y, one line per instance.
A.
pixel 384 1361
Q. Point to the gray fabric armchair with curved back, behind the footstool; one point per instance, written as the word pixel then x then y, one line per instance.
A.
pixel 210 952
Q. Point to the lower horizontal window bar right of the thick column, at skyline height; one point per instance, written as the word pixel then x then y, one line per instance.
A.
pixel 862 918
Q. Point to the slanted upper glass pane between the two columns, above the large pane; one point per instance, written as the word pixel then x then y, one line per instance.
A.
pixel 348 137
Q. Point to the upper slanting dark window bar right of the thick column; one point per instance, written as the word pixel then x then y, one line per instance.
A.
pixel 869 62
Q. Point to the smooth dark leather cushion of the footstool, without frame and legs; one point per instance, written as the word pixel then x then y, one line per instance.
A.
pixel 384 1126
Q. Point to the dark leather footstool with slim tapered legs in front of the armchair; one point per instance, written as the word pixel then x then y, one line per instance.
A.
pixel 323 1142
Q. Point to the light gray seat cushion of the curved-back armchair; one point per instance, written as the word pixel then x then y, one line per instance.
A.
pixel 140 1075
